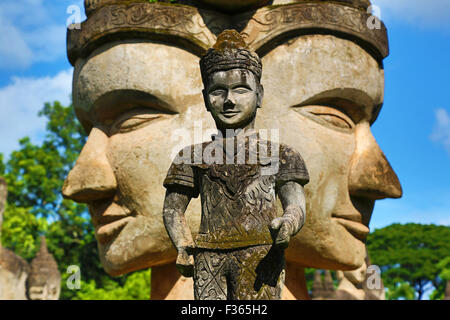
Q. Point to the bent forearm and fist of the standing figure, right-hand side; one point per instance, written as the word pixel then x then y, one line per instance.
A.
pixel 292 199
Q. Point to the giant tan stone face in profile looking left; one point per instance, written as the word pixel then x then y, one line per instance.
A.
pixel 133 99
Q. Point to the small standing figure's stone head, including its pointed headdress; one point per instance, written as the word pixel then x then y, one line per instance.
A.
pixel 231 77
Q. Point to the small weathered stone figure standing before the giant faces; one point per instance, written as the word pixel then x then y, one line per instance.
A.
pixel 238 253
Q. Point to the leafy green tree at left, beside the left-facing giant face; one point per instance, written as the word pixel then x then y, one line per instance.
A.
pixel 35 175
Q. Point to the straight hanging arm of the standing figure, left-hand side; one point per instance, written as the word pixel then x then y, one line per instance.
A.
pixel 175 205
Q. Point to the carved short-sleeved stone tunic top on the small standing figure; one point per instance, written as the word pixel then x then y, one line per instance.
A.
pixel 238 200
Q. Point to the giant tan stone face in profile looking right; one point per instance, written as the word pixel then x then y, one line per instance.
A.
pixel 322 93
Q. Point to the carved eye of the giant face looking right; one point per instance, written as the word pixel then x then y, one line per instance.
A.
pixel 332 117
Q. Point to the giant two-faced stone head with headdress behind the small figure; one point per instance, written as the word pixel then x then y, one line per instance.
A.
pixel 137 82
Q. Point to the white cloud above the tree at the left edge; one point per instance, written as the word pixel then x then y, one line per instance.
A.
pixel 22 100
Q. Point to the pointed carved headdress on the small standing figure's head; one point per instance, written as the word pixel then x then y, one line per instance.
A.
pixel 230 52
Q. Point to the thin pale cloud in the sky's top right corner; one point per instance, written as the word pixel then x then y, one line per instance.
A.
pixel 421 13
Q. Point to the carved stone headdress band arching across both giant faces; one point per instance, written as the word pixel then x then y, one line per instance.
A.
pixel 187 27
